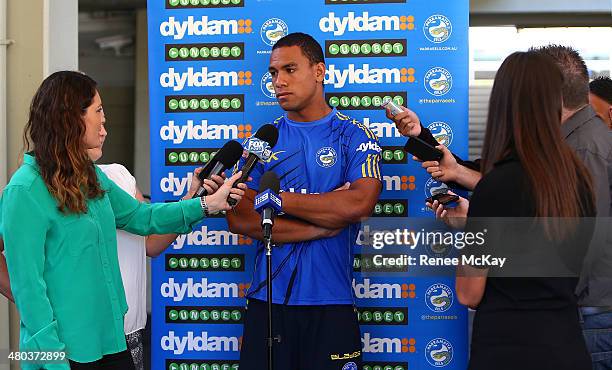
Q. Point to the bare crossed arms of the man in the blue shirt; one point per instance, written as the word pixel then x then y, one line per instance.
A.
pixel 316 216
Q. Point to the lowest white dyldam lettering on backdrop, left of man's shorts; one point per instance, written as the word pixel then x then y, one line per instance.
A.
pixel 200 343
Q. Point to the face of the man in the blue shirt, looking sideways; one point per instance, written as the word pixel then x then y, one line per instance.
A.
pixel 296 81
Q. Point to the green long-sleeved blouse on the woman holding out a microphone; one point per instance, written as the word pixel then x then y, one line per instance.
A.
pixel 63 268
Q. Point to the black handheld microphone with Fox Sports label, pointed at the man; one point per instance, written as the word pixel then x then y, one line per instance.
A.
pixel 258 147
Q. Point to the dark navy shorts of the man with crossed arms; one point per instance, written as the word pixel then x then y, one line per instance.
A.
pixel 312 337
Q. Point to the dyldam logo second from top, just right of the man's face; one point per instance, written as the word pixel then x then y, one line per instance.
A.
pixel 366 75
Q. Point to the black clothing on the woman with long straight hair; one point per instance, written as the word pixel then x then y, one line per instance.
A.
pixel 523 322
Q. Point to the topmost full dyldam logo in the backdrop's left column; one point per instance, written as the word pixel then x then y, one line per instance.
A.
pixel 204 27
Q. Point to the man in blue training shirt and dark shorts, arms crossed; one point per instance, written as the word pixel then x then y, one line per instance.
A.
pixel 319 150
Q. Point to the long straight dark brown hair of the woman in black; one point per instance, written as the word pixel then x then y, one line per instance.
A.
pixel 524 120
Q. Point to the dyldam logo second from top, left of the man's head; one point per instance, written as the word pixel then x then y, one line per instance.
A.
pixel 203 78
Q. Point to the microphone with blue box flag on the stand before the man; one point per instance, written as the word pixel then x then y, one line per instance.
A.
pixel 267 202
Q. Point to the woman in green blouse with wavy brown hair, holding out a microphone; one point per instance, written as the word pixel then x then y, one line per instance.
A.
pixel 59 217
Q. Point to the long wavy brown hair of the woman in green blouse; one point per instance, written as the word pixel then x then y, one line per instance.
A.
pixel 54 133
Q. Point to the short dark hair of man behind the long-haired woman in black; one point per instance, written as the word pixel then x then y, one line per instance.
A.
pixel 575 74
